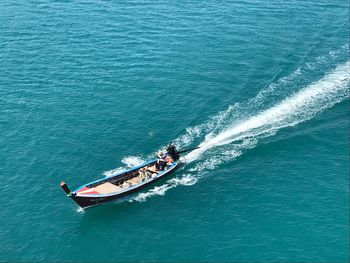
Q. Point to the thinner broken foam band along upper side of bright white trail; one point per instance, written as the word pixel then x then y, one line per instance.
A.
pixel 277 90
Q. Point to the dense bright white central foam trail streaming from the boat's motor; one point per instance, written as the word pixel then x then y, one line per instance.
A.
pixel 302 106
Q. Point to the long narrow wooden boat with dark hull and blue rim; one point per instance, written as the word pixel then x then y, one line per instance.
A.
pixel 119 185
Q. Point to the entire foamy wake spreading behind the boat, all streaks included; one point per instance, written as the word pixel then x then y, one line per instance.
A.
pixel 230 133
